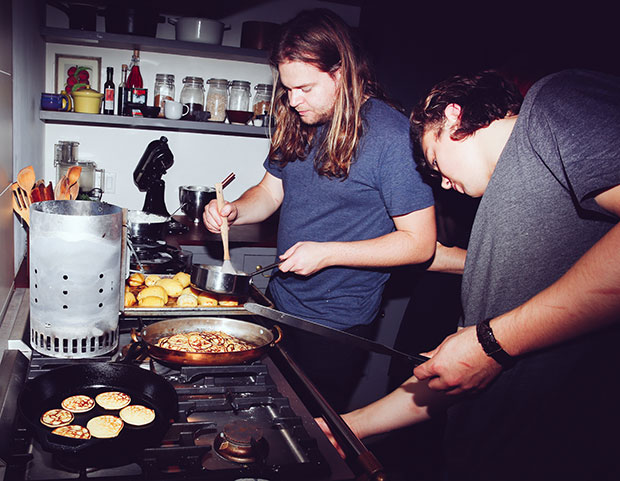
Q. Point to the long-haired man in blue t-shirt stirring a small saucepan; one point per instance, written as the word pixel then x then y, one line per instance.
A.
pixel 352 204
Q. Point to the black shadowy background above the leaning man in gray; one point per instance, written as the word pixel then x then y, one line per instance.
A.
pixel 415 44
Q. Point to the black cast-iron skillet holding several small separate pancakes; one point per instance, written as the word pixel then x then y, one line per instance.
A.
pixel 47 391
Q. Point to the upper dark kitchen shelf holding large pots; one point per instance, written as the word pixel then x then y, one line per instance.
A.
pixel 150 44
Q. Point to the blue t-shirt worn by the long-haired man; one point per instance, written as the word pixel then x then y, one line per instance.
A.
pixel 383 182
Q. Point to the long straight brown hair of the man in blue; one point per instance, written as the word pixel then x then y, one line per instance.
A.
pixel 321 38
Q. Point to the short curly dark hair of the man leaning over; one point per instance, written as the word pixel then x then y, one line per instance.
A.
pixel 483 98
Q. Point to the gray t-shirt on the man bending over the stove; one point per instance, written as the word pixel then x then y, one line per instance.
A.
pixel 548 416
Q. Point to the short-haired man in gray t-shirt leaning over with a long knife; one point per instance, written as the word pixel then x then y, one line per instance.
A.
pixel 531 379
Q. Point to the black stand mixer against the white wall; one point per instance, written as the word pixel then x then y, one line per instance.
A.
pixel 147 176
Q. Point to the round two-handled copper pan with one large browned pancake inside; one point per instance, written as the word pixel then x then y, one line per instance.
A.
pixel 260 336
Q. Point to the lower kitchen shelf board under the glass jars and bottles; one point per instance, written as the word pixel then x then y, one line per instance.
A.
pixel 100 120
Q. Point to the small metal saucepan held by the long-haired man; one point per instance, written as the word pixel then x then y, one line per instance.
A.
pixel 214 279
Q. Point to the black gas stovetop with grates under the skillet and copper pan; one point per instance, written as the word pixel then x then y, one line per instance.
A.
pixel 235 422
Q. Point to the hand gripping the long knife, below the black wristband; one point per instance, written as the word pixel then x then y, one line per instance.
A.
pixel 458 365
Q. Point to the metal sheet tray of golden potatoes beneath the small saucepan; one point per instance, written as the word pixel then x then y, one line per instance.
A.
pixel 157 295
